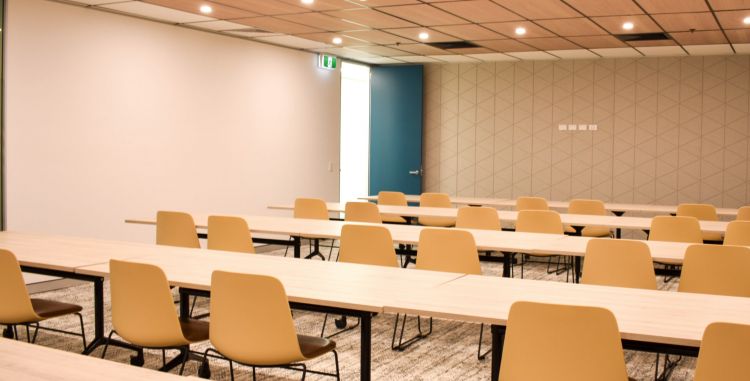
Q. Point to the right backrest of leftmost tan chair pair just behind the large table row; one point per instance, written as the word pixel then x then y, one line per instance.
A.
pixel 229 234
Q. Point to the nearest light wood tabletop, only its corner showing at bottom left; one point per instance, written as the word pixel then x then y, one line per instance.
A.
pixel 23 361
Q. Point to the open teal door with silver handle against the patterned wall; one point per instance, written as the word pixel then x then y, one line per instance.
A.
pixel 396 129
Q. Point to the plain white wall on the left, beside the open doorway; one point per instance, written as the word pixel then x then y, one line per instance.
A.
pixel 109 117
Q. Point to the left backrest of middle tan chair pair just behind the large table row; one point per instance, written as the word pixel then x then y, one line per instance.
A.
pixel 368 245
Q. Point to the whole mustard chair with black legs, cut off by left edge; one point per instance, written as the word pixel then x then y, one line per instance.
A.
pixel 17 308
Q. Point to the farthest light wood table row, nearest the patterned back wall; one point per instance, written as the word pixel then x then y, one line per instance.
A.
pixel 614 207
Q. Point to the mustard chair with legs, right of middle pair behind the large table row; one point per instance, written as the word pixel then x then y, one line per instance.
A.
pixel 446 250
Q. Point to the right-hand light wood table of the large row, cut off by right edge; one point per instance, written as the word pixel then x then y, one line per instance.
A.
pixel 649 320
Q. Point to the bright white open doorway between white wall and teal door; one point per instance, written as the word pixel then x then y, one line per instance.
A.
pixel 355 131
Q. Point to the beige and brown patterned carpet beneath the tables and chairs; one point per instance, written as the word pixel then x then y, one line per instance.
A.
pixel 448 354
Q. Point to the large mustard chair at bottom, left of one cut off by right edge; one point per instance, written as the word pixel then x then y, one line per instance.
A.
pixel 571 342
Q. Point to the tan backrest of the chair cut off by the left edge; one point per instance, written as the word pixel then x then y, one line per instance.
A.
pixel 15 306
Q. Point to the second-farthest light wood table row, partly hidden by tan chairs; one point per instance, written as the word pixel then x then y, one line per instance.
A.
pixel 578 221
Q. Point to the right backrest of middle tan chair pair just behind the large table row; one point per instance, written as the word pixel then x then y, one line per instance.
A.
pixel 448 250
